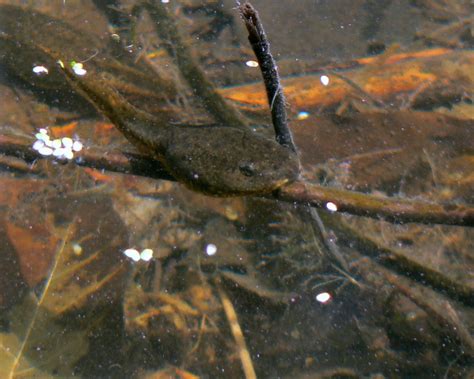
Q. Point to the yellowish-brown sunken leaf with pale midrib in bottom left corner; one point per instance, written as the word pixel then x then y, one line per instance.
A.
pixel 42 340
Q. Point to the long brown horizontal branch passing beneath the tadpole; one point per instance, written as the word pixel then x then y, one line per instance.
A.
pixel 395 210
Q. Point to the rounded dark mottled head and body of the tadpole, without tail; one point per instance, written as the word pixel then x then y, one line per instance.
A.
pixel 227 161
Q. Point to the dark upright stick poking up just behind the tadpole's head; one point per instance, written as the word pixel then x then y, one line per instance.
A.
pixel 268 67
